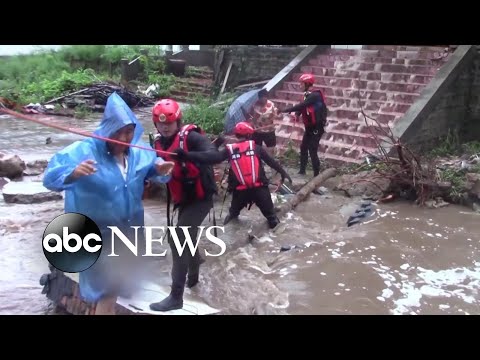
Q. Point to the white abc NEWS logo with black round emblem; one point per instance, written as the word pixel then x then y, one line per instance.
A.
pixel 72 242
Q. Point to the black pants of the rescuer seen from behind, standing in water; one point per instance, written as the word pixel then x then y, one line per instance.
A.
pixel 259 196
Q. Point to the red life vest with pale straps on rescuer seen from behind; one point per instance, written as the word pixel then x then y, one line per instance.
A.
pixel 245 164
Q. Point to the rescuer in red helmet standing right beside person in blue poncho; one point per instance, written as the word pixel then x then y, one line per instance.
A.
pixel 191 190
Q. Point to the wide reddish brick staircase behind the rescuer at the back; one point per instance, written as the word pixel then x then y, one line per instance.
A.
pixel 384 80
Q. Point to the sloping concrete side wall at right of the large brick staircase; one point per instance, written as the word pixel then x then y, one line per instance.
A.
pixel 449 103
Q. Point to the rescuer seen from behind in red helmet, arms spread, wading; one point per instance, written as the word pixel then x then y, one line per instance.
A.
pixel 247 180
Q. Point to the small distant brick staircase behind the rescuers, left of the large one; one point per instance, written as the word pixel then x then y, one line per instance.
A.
pixel 197 82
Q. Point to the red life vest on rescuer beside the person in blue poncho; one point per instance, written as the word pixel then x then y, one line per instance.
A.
pixel 185 175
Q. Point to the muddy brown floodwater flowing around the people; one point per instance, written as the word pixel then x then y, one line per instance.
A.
pixel 400 260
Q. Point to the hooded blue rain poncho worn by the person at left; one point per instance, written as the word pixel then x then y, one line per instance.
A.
pixel 106 197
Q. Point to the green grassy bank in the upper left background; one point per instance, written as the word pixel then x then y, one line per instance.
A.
pixel 47 74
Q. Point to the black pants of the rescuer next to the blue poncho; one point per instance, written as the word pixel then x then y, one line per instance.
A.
pixel 189 215
